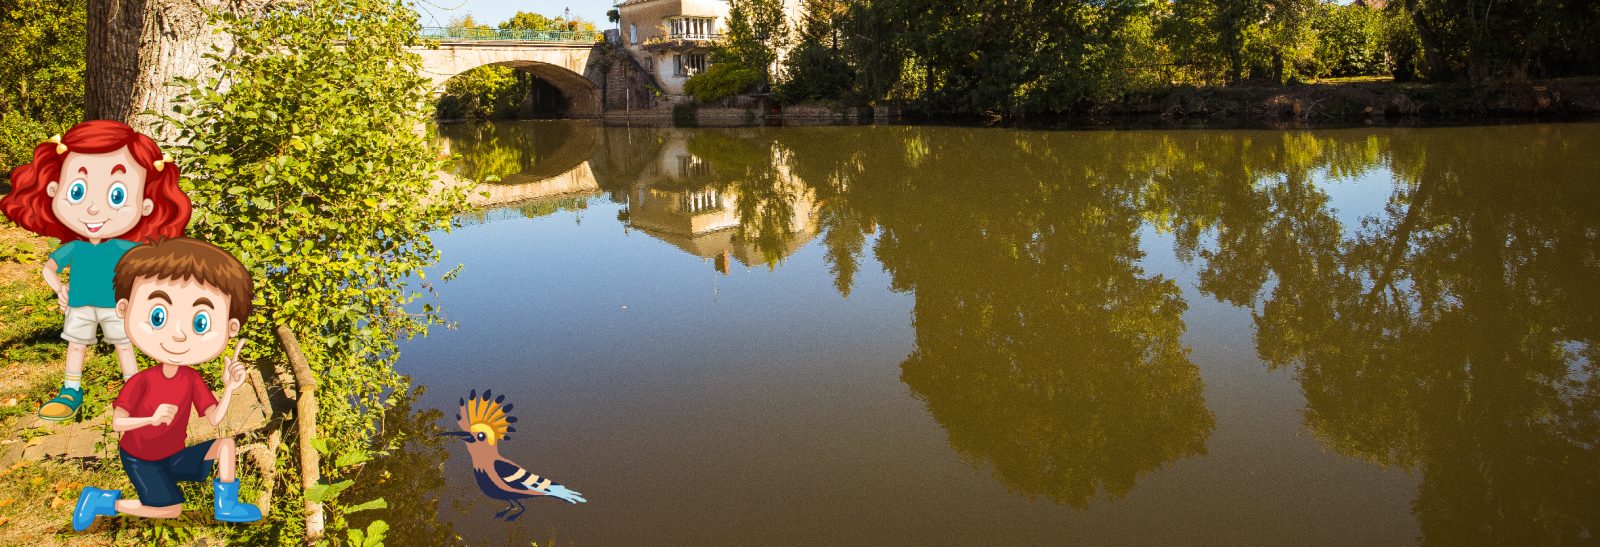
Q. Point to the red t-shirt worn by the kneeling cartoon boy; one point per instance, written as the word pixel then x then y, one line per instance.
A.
pixel 150 389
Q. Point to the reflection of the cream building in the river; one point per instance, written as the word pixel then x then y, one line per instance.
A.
pixel 686 202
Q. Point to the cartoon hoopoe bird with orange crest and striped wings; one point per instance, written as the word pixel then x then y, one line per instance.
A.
pixel 484 426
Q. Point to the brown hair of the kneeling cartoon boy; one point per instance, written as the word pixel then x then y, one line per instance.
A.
pixel 183 258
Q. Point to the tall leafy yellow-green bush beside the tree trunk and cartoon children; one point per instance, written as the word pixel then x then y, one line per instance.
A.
pixel 311 167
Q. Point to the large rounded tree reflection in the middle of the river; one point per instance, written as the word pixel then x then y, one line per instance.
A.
pixel 1042 348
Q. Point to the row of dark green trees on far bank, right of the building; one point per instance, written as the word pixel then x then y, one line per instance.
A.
pixel 1022 58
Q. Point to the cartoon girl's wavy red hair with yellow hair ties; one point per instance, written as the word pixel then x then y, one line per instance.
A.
pixel 28 206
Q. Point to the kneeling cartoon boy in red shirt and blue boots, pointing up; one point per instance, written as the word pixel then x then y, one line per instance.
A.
pixel 170 295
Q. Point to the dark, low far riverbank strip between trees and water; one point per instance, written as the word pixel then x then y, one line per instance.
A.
pixel 1329 103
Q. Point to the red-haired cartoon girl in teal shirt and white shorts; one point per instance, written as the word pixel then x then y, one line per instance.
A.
pixel 100 190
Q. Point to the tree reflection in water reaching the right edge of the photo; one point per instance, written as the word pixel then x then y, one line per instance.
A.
pixel 1455 333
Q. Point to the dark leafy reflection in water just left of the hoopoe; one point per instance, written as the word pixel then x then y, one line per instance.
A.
pixel 409 474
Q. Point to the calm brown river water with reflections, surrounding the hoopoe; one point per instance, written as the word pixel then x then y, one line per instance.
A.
pixel 986 337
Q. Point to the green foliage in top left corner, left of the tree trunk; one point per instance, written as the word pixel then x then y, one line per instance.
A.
pixel 41 74
